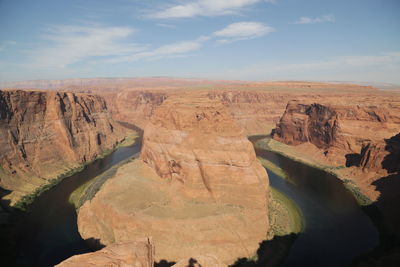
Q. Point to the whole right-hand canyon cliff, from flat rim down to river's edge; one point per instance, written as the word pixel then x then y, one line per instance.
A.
pixel 363 137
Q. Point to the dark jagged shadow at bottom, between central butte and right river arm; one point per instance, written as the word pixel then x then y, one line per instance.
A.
pixel 270 253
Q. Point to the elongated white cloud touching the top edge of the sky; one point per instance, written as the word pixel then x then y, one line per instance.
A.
pixel 202 8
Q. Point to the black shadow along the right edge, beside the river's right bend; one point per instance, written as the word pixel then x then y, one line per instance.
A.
pixel 385 212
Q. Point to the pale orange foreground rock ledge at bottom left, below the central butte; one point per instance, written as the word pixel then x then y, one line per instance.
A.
pixel 138 253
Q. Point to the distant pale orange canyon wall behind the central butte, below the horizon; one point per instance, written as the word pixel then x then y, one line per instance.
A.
pixel 257 107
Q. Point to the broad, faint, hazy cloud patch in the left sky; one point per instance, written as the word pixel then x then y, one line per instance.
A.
pixel 67 44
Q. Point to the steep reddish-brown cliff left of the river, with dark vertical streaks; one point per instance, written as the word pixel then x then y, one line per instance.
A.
pixel 45 134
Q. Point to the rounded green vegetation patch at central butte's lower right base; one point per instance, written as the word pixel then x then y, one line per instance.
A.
pixel 284 215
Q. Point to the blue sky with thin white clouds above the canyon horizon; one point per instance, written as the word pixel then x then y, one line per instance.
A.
pixel 321 40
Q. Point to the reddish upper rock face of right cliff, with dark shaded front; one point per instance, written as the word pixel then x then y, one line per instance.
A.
pixel 342 132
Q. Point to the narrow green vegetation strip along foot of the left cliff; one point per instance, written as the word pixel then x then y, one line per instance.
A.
pixel 26 200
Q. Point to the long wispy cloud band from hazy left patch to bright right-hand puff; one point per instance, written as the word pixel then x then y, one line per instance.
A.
pixel 64 45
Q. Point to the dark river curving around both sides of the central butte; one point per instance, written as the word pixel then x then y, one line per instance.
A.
pixel 336 229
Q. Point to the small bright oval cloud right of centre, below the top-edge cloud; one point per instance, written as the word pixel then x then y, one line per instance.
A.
pixel 242 31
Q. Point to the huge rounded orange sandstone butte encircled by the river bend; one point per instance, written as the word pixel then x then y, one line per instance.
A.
pixel 197 190
